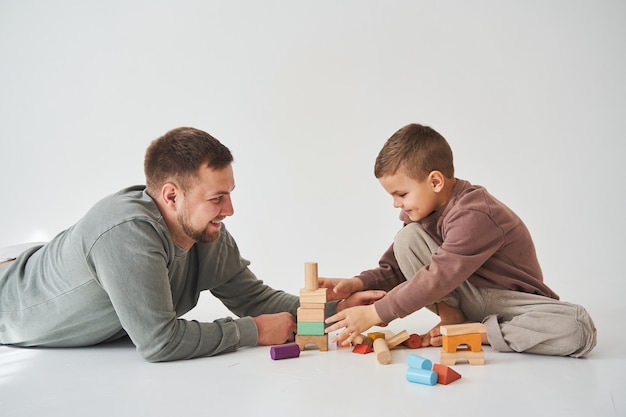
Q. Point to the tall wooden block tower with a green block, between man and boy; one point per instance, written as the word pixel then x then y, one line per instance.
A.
pixel 311 311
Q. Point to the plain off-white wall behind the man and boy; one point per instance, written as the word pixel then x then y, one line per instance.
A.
pixel 530 94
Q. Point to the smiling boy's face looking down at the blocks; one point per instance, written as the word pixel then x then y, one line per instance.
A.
pixel 416 198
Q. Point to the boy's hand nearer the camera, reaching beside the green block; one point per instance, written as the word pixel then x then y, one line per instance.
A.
pixel 355 320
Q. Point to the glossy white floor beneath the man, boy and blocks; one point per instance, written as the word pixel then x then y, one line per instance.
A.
pixel 113 380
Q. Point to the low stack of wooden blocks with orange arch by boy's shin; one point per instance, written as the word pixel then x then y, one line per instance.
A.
pixel 468 334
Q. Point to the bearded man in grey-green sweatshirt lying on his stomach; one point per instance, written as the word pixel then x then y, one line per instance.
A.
pixel 139 259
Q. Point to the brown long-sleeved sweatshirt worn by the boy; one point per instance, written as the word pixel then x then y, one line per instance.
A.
pixel 480 239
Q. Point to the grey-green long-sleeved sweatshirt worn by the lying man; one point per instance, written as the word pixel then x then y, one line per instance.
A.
pixel 117 272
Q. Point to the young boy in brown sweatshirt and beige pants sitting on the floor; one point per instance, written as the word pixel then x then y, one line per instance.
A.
pixel 462 254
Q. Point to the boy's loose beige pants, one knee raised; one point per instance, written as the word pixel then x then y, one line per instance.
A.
pixel 516 321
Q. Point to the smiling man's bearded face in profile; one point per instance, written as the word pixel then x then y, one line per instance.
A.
pixel 206 204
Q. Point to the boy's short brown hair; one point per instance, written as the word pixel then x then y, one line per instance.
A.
pixel 416 151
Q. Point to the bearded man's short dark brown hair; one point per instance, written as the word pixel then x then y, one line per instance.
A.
pixel 177 156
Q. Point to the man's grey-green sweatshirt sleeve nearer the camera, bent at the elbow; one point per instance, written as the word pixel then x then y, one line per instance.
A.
pixel 131 262
